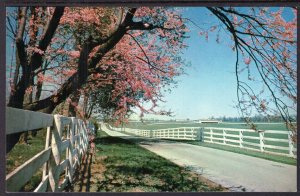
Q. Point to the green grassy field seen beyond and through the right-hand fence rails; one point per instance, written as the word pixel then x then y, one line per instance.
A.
pixel 263 126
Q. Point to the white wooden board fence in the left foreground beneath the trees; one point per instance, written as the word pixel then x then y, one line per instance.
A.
pixel 66 144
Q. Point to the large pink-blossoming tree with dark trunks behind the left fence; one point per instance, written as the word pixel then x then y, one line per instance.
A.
pixel 82 49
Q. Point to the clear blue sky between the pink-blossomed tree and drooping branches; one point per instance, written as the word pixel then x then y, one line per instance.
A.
pixel 208 89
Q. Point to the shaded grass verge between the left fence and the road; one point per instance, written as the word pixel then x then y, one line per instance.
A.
pixel 122 166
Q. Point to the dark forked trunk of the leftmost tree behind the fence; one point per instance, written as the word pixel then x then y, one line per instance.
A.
pixel 17 96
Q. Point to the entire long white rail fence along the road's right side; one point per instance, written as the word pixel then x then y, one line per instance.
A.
pixel 269 141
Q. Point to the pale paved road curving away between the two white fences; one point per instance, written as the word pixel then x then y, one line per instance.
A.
pixel 234 171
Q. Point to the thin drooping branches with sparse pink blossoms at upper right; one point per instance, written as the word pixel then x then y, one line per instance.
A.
pixel 265 43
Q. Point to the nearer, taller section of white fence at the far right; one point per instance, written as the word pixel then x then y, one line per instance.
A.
pixel 270 141
